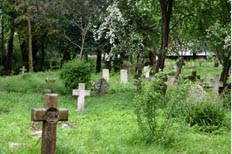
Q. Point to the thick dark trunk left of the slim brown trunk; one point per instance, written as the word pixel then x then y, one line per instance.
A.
pixel 8 66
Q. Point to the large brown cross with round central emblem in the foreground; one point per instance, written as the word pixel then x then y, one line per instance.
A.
pixel 49 115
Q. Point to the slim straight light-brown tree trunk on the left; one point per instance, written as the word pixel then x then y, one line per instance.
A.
pixel 30 57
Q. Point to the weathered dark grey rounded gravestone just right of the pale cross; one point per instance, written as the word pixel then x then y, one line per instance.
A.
pixel 101 86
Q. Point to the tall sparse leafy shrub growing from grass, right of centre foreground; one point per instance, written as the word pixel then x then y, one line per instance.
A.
pixel 148 111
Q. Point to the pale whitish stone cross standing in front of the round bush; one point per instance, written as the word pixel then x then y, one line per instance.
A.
pixel 81 93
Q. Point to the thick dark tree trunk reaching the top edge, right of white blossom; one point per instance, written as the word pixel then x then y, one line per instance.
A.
pixel 166 9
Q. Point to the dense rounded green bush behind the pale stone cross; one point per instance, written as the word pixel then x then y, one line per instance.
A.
pixel 75 72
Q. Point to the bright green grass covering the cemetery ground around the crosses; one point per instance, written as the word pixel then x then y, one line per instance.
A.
pixel 107 126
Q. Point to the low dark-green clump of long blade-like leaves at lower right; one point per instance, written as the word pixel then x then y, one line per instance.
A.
pixel 208 115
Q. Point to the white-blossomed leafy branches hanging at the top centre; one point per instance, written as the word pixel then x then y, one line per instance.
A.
pixel 118 31
